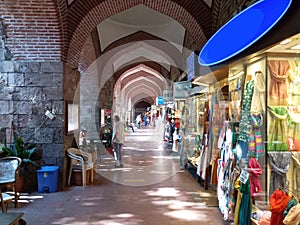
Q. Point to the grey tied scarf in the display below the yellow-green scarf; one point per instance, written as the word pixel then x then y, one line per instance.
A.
pixel 279 163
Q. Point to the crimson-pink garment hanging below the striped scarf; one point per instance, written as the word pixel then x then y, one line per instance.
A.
pixel 254 171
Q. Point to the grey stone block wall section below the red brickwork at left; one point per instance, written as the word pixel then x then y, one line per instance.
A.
pixel 27 89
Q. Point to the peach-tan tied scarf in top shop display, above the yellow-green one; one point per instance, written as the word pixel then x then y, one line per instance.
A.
pixel 279 71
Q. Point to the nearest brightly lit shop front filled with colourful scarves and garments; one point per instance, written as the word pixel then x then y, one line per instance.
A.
pixel 255 127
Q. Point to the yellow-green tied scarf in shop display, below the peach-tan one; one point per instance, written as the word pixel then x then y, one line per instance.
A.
pixel 278 129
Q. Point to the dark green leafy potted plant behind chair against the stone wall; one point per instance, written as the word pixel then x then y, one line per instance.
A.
pixel 24 151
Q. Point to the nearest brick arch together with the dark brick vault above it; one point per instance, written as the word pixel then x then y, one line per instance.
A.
pixel 83 17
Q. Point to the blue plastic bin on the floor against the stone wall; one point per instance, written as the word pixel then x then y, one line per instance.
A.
pixel 47 179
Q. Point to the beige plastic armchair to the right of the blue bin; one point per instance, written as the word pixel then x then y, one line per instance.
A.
pixel 80 160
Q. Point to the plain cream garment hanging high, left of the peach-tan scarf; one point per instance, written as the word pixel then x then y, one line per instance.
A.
pixel 258 99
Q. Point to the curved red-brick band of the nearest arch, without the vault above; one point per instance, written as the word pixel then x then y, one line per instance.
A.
pixel 107 8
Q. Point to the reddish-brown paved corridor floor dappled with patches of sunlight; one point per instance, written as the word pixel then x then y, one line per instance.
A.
pixel 149 190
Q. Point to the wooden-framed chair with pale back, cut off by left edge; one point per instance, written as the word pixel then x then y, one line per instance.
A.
pixel 9 174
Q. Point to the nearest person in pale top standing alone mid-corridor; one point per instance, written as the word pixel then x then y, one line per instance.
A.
pixel 118 140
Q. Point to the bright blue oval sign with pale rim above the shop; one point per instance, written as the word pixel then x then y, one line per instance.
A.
pixel 242 31
